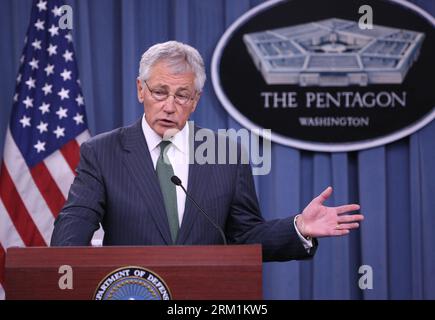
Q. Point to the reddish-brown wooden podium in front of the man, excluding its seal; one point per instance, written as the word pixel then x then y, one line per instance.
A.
pixel 190 272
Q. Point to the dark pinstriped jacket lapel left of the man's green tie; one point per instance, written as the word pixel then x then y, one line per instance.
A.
pixel 139 163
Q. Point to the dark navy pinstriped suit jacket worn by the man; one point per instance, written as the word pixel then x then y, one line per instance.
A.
pixel 116 185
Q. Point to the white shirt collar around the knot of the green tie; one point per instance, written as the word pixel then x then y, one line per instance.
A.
pixel 180 140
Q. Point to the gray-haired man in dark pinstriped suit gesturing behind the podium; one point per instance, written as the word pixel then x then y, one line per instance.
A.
pixel 124 179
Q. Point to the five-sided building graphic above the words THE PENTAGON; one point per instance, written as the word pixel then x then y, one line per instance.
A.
pixel 334 52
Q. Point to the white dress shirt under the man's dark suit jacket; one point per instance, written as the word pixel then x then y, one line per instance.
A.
pixel 178 154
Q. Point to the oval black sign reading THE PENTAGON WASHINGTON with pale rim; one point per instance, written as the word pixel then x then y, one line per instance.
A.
pixel 336 75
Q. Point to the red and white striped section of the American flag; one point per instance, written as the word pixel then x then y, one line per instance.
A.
pixel 31 198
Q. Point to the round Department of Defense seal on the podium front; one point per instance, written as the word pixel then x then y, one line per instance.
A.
pixel 132 283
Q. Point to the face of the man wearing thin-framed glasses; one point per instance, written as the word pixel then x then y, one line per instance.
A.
pixel 167 114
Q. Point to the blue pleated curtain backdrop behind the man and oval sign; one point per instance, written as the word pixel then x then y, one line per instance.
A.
pixel 395 184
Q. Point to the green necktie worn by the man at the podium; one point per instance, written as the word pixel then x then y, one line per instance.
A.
pixel 164 173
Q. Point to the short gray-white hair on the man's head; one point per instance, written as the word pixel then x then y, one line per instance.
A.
pixel 180 57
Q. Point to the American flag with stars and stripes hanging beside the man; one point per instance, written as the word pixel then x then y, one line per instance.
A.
pixel 46 128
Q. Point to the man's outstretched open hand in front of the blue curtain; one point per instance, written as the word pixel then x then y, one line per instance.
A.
pixel 318 220
